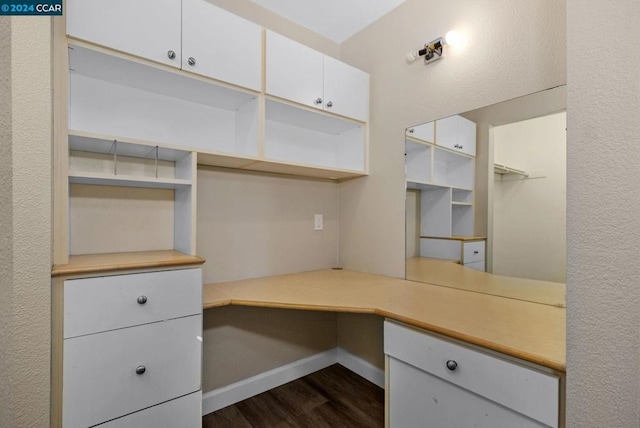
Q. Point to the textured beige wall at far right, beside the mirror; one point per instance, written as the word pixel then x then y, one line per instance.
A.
pixel 603 225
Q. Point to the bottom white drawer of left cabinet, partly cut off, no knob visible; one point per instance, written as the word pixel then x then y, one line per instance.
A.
pixel 182 412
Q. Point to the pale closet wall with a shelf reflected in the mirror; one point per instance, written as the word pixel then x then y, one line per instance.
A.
pixel 529 215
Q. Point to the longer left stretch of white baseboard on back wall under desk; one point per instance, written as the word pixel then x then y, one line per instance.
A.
pixel 236 392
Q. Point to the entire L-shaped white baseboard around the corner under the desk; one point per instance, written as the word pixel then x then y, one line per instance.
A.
pixel 247 388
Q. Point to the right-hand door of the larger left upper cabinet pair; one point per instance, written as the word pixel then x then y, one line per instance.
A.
pixel 221 45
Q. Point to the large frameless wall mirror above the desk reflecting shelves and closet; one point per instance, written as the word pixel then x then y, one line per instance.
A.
pixel 486 198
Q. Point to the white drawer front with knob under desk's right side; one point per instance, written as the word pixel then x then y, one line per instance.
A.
pixel 529 392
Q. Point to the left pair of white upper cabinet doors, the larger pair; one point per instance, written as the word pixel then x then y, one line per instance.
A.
pixel 190 34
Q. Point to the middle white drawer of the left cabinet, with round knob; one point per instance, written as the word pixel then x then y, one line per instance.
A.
pixel 100 382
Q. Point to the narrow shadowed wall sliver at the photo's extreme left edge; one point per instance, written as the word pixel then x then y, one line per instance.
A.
pixel 6 223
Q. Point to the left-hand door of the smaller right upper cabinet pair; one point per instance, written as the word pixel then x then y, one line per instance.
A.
pixel 294 71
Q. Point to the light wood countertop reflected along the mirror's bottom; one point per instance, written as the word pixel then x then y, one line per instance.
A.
pixel 450 274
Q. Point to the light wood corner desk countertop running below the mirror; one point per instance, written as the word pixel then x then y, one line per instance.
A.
pixel 529 331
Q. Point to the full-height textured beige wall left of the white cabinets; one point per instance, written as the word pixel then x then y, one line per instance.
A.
pixel 26 138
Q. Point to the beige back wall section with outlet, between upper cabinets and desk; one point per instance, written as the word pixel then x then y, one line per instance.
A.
pixel 251 225
